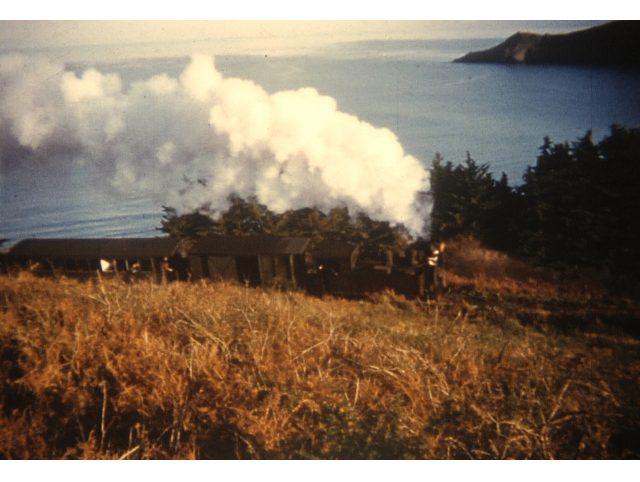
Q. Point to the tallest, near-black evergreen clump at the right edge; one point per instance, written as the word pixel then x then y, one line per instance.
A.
pixel 581 203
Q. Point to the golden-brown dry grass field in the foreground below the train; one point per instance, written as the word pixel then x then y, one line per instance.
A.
pixel 115 370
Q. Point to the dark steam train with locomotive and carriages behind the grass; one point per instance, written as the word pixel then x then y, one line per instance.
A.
pixel 328 267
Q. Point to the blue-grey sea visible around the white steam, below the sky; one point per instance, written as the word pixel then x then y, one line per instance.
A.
pixel 500 114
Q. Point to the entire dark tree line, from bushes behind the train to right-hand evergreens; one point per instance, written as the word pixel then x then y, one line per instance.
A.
pixel 576 207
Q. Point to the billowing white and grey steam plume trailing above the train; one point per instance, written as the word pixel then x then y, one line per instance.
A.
pixel 290 149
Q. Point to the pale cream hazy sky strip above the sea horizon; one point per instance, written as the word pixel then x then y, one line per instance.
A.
pixel 73 33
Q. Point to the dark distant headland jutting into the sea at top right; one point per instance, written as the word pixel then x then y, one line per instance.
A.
pixel 613 43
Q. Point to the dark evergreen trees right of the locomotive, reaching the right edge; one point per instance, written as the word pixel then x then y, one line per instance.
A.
pixel 577 207
